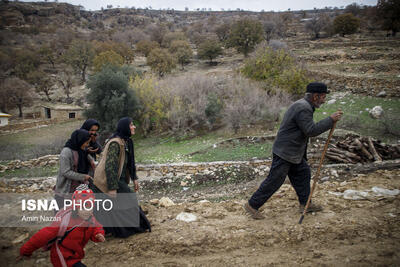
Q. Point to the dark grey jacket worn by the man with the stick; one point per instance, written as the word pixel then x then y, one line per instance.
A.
pixel 296 127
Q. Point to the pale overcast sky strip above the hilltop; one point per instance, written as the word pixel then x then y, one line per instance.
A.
pixel 217 5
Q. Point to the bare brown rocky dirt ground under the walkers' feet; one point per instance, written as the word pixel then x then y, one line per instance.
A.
pixel 348 232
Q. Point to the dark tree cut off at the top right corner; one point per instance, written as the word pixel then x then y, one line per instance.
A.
pixel 389 11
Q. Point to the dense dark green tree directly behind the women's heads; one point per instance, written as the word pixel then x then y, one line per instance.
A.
pixel 110 97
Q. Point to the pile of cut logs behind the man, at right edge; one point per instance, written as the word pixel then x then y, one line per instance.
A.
pixel 355 149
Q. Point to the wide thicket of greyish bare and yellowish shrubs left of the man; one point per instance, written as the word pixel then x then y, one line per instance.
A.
pixel 193 102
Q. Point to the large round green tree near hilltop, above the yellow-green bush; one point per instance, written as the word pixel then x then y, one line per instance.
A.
pixel 245 35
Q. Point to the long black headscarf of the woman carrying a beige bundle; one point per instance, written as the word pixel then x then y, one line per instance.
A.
pixel 124 132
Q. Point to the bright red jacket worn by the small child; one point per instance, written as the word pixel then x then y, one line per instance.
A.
pixel 71 247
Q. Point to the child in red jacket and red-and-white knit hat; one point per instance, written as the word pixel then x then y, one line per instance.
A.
pixel 73 232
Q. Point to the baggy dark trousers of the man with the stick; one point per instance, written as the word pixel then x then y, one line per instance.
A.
pixel 299 176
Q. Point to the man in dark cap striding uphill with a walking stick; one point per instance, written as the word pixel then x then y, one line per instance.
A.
pixel 290 149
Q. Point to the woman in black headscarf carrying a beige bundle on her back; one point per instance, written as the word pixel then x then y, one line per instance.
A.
pixel 113 174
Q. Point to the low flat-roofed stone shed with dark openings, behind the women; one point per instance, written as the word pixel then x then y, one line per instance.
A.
pixel 61 112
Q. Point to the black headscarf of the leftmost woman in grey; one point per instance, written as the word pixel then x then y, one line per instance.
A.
pixel 78 138
